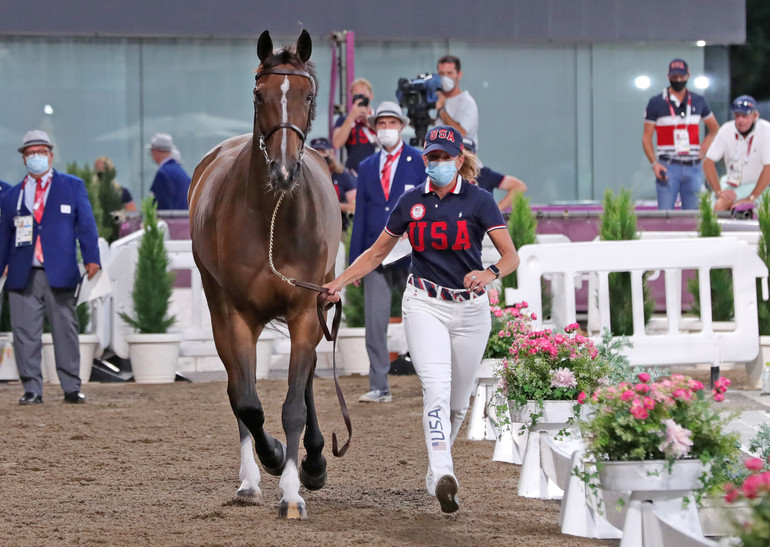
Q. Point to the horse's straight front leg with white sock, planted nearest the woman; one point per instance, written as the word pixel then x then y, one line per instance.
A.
pixel 305 333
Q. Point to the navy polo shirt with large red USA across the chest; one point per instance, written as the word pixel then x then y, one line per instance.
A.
pixel 446 233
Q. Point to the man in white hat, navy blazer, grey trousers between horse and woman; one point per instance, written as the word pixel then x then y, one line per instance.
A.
pixel 382 178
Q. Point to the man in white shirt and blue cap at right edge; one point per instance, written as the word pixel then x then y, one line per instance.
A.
pixel 744 145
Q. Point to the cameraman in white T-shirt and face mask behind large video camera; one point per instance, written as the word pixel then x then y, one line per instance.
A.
pixel 455 107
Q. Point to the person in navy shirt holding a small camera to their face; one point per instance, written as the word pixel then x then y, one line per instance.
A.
pixel 354 130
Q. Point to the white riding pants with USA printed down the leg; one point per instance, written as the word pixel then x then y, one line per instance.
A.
pixel 446 342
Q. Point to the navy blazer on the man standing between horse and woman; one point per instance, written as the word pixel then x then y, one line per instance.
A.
pixel 372 211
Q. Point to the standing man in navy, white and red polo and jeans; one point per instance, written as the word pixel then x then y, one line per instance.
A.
pixel 675 117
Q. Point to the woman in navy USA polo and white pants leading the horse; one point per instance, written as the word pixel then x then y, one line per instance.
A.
pixel 445 305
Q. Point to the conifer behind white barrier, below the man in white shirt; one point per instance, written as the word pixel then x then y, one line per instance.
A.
pixel 722 306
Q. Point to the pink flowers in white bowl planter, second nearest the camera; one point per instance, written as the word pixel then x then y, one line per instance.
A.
pixel 640 433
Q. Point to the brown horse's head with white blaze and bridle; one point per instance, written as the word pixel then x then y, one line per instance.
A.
pixel 284 107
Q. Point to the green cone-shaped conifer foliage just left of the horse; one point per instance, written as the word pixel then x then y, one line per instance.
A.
pixel 153 283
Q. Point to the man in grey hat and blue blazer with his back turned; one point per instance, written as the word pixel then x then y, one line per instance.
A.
pixel 171 182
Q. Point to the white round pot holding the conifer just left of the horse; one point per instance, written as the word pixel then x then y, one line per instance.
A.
pixel 154 357
